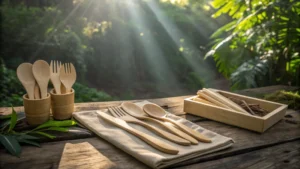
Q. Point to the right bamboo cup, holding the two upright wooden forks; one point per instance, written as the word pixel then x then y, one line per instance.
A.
pixel 62 105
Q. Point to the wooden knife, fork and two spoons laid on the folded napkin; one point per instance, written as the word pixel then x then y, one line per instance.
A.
pixel 131 113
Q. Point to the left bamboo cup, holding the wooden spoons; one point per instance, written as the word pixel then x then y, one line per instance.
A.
pixel 37 111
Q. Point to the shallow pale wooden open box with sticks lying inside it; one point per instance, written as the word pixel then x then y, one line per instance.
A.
pixel 247 121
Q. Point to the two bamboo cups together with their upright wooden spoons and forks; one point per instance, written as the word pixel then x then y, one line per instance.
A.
pixel 38 102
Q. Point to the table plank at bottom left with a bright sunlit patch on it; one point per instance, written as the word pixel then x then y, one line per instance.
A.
pixel 80 152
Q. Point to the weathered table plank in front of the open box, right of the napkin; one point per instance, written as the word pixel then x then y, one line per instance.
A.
pixel 246 140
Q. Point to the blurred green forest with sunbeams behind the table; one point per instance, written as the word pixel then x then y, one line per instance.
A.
pixel 152 48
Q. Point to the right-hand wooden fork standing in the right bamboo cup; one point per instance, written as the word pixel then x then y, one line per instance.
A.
pixel 68 76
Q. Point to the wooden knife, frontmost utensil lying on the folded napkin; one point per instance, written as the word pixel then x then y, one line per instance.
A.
pixel 154 142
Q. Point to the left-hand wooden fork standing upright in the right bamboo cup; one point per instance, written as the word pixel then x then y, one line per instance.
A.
pixel 54 75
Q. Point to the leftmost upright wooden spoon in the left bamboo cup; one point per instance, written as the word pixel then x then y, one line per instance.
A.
pixel 24 73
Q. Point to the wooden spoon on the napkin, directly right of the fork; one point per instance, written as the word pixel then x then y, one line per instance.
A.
pixel 138 113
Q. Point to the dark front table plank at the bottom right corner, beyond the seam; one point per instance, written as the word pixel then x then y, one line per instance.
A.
pixel 285 156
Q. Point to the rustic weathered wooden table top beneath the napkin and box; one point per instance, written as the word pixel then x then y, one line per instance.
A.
pixel 278 147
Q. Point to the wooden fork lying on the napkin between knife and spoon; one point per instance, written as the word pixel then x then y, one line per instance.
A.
pixel 120 113
